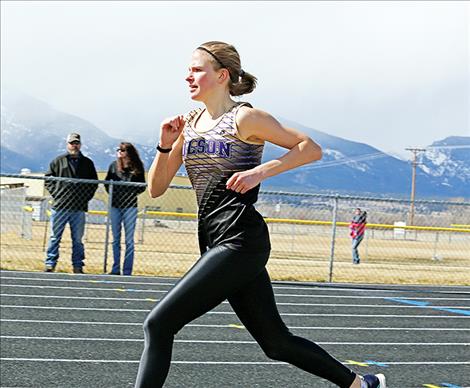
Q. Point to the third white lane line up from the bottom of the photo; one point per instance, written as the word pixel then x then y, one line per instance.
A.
pixel 229 326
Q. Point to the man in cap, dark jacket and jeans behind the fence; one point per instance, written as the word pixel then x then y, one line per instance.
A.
pixel 70 201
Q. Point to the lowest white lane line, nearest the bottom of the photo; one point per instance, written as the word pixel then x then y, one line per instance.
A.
pixel 52 360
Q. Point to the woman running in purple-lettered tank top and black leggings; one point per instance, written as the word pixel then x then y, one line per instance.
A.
pixel 221 146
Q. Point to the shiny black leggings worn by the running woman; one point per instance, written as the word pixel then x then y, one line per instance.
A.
pixel 223 273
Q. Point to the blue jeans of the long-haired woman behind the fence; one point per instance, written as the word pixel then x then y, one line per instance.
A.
pixel 128 218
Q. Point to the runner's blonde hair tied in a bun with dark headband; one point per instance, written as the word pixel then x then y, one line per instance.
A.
pixel 225 56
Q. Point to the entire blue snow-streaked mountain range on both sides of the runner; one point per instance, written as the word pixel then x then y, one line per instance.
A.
pixel 33 133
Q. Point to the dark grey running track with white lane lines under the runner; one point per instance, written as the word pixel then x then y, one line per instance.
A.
pixel 61 330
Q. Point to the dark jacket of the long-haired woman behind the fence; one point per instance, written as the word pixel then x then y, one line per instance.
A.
pixel 124 196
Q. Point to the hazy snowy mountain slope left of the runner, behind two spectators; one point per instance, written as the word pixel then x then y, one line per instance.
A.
pixel 36 131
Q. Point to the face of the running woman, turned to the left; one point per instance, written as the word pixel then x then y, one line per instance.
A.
pixel 202 78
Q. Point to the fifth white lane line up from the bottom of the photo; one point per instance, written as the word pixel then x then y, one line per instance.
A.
pixel 151 300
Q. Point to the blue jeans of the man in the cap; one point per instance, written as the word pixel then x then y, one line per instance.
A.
pixel 59 219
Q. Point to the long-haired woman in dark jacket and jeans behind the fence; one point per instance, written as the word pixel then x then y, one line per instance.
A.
pixel 127 167
